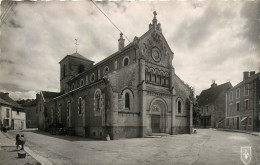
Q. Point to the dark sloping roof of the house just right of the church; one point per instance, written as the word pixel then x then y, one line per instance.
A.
pixel 210 95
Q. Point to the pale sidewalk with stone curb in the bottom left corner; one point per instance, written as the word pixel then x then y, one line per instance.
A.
pixel 9 153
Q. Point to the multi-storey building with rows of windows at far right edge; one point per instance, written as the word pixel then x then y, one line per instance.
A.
pixel 243 103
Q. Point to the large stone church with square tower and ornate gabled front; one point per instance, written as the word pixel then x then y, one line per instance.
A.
pixel 134 92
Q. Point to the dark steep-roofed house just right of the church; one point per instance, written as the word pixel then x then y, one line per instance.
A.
pixel 211 103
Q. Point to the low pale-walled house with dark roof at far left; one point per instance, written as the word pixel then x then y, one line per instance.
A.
pixel 12 114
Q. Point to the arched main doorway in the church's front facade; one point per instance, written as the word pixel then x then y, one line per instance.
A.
pixel 158 109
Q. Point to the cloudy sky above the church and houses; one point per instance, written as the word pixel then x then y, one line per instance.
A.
pixel 210 40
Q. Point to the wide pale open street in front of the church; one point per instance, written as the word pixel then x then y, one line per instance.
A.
pixel 207 147
